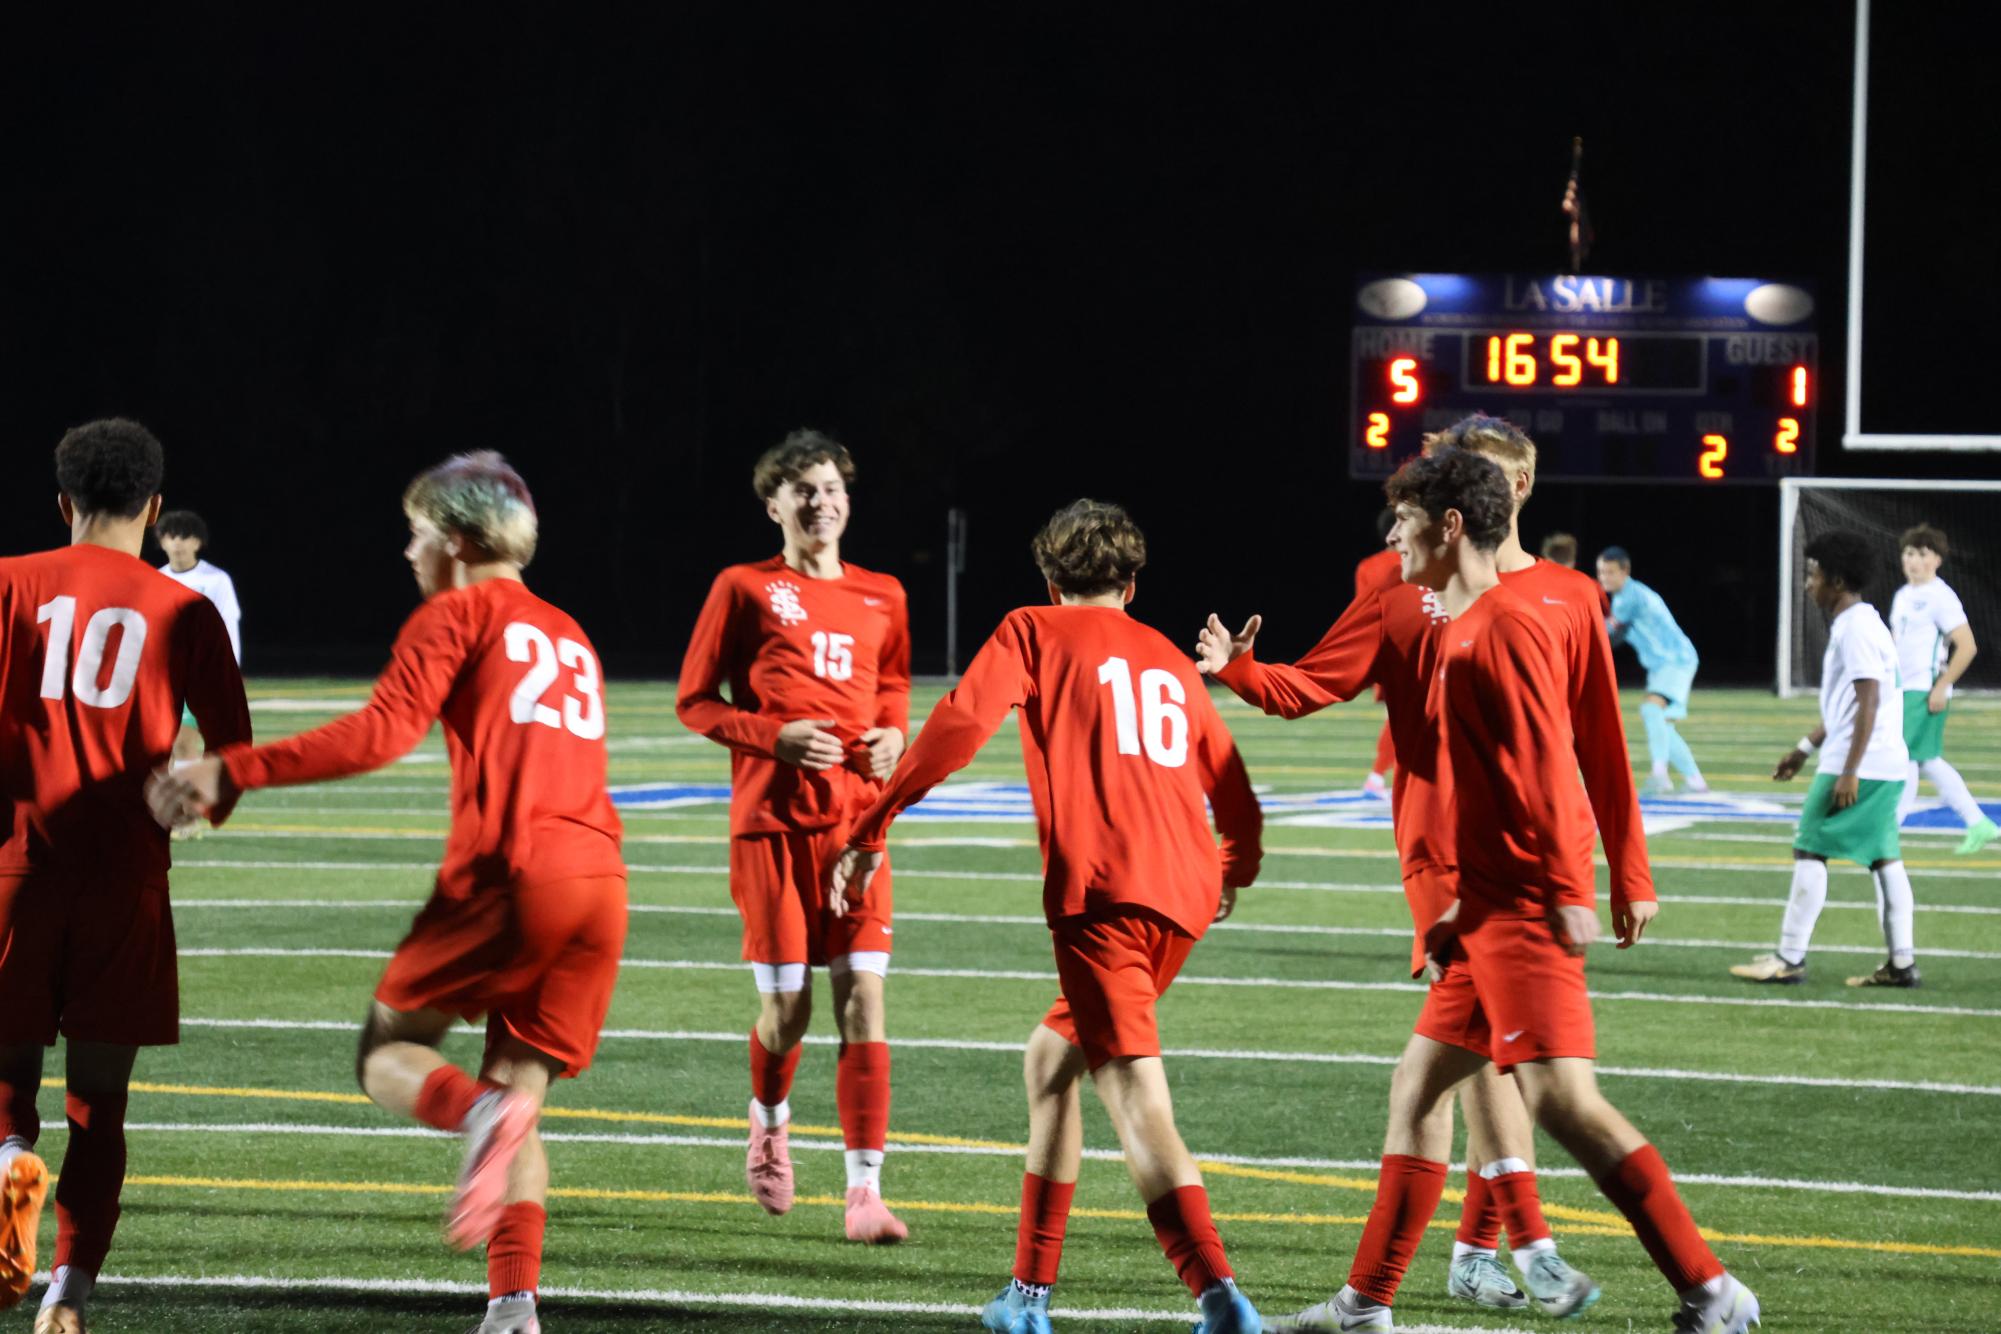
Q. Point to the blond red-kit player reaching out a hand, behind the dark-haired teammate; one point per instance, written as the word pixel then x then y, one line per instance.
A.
pixel 1388 641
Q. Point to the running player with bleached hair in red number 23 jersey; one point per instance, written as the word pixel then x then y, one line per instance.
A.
pixel 529 913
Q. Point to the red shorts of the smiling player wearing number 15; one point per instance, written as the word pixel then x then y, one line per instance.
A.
pixel 779 883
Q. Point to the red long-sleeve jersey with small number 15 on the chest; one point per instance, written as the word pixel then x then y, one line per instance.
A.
pixel 789 649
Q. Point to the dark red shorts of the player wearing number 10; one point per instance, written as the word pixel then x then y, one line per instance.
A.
pixel 89 963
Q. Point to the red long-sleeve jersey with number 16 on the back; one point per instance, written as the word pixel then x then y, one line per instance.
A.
pixel 1122 745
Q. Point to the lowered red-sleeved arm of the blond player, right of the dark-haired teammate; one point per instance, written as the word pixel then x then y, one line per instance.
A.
pixel 1598 733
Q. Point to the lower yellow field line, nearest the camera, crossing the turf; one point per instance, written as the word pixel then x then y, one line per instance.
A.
pixel 1010 1211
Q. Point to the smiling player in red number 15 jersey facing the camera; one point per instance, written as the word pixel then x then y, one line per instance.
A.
pixel 815 655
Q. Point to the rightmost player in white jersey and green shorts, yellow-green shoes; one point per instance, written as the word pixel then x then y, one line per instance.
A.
pixel 1934 651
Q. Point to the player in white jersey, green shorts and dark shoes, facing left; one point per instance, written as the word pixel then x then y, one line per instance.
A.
pixel 1852 807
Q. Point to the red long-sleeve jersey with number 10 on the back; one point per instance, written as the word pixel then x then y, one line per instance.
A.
pixel 97 655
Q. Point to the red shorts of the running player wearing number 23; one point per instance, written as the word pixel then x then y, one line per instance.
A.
pixel 539 961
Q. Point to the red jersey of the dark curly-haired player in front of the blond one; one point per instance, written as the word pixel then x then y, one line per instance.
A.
pixel 1522 825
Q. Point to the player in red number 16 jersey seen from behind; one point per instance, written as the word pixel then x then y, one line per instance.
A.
pixel 1122 745
